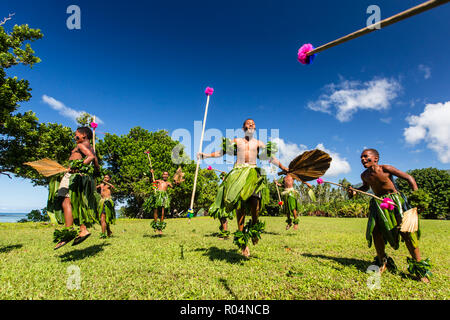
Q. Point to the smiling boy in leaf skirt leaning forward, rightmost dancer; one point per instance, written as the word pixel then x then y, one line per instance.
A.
pixel 383 224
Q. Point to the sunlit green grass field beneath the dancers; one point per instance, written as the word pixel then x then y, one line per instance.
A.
pixel 326 258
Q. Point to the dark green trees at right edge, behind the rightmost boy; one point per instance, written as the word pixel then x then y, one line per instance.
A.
pixel 437 183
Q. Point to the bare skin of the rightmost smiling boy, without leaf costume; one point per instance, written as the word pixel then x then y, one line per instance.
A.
pixel 377 177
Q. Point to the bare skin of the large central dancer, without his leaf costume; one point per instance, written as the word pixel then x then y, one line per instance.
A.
pixel 247 151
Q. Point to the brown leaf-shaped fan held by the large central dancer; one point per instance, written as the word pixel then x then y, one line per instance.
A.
pixel 309 165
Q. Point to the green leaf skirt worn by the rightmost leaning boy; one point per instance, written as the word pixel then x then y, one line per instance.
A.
pixel 387 221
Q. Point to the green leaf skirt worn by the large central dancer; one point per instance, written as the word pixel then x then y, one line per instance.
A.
pixel 237 187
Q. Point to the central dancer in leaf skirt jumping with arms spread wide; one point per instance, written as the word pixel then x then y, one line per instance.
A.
pixel 245 188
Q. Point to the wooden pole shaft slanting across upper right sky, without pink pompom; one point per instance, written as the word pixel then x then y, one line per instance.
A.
pixel 384 23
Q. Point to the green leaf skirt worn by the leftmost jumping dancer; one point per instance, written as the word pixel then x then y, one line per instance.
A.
pixel 82 197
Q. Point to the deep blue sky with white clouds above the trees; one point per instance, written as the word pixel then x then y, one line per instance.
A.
pixel 147 63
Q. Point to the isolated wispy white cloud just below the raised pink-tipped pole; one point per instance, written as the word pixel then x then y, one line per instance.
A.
pixel 347 97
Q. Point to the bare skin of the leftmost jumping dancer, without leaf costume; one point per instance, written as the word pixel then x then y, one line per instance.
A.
pixel 83 149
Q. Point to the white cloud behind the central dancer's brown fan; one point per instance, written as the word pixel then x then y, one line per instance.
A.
pixel 288 151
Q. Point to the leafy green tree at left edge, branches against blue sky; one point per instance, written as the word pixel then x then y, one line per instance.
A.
pixel 22 137
